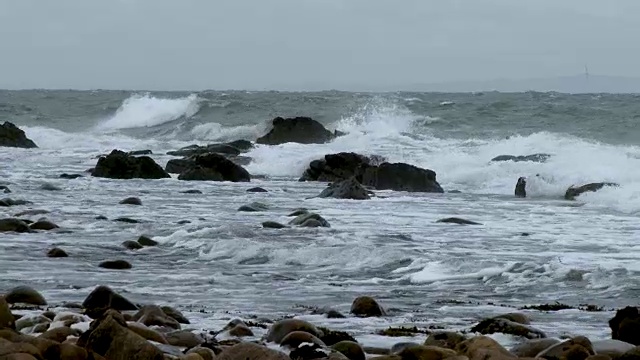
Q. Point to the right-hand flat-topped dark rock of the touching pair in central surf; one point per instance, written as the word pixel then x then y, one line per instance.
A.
pixel 401 177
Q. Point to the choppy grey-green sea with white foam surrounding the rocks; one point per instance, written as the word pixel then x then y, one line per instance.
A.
pixel 223 264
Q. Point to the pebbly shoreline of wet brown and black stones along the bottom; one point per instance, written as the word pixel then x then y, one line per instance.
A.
pixel 106 325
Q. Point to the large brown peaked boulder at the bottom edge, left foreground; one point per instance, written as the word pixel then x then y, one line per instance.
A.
pixel 110 338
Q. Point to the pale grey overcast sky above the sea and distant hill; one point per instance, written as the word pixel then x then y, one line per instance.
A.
pixel 270 44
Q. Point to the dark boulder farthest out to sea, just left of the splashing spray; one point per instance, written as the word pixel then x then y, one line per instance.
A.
pixel 301 130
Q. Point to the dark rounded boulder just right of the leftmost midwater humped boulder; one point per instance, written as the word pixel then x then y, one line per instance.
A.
pixel 215 167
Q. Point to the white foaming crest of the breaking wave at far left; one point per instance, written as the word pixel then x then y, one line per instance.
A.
pixel 147 111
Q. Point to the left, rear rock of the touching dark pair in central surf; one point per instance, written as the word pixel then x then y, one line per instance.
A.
pixel 340 166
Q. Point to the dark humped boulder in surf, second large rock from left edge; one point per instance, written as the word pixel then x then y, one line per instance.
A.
pixel 120 165
